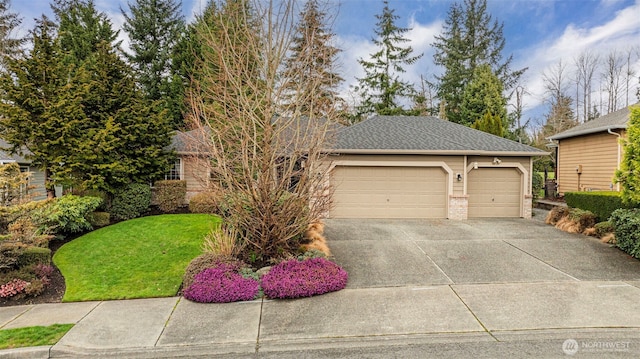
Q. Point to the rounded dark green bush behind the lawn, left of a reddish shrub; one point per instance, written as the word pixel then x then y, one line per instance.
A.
pixel 131 201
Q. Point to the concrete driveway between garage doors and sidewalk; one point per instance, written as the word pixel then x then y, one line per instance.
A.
pixel 392 253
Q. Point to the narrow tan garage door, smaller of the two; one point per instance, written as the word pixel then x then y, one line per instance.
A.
pixel 494 192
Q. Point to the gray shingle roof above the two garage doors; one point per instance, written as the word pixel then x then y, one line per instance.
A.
pixel 424 135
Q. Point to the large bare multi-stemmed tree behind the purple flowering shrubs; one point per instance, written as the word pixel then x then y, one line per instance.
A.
pixel 270 167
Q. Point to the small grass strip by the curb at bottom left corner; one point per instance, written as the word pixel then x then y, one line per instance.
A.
pixel 32 336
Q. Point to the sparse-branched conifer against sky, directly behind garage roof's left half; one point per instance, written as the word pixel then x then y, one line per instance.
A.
pixel 381 87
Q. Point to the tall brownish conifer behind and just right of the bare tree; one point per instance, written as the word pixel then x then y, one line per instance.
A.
pixel 311 65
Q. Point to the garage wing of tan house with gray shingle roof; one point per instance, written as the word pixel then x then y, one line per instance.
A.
pixel 425 167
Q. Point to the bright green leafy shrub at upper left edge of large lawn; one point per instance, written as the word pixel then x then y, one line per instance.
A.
pixel 68 214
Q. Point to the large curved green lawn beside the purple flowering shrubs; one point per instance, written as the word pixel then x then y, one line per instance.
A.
pixel 140 258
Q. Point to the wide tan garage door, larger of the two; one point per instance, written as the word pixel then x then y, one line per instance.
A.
pixel 389 192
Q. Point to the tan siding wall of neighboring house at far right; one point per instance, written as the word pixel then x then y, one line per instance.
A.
pixel 598 156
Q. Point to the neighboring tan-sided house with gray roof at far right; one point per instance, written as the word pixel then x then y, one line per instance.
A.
pixel 589 154
